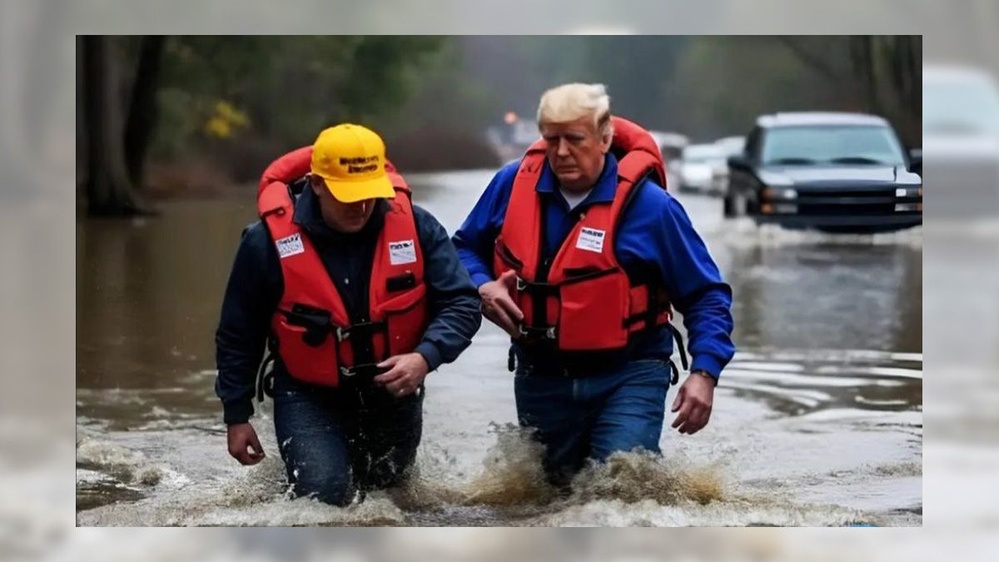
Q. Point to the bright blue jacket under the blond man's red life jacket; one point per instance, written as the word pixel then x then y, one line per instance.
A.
pixel 655 233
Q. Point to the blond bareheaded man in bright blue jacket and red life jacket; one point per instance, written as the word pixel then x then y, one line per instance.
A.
pixel 580 254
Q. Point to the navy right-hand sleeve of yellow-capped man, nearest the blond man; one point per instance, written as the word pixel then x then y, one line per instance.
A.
pixel 454 300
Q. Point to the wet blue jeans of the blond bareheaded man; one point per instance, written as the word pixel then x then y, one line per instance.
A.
pixel 593 417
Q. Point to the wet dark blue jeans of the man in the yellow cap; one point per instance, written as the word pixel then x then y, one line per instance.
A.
pixel 336 442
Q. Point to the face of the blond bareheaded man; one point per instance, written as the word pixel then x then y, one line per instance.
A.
pixel 575 151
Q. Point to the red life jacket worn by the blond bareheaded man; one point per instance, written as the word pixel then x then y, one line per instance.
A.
pixel 585 302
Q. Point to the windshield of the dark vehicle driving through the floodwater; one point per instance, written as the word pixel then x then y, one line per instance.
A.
pixel 847 144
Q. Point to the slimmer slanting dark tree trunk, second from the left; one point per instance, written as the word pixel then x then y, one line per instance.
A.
pixel 142 112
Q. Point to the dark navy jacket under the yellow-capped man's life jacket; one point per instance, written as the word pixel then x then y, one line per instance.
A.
pixel 255 287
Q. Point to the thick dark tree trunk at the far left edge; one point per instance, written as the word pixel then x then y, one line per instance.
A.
pixel 109 191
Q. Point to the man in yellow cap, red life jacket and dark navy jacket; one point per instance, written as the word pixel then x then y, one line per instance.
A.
pixel 358 295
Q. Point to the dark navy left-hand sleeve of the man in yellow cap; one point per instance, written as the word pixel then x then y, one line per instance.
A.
pixel 252 294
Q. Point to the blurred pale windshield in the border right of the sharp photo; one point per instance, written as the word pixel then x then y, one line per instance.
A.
pixel 966 105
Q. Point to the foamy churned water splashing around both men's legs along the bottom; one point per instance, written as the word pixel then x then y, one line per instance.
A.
pixel 509 489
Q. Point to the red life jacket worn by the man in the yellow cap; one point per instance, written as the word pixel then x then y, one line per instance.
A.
pixel 311 326
